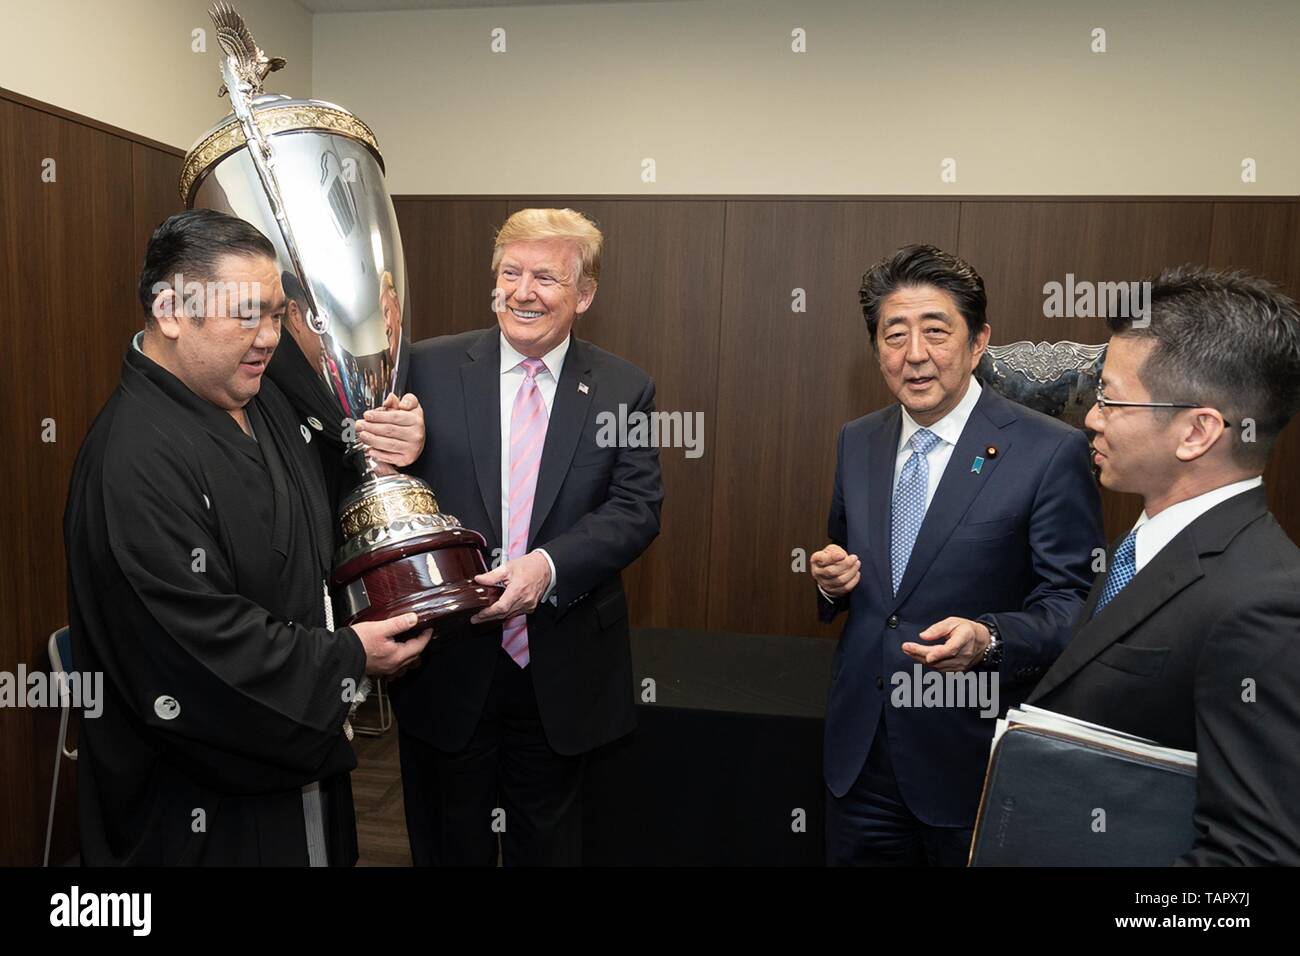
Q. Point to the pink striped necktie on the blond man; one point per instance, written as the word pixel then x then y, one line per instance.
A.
pixel 528 423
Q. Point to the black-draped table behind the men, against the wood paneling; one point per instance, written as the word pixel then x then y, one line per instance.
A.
pixel 722 762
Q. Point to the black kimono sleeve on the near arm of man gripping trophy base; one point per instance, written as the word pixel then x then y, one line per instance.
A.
pixel 241 700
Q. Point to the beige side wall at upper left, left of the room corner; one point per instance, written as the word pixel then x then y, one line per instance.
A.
pixel 129 63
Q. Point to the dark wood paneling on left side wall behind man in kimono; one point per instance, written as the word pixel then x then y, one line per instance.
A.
pixel 73 244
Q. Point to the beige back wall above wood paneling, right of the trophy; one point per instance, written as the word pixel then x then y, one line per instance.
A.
pixel 712 92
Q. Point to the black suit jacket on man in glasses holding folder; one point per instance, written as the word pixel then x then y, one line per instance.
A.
pixel 1169 657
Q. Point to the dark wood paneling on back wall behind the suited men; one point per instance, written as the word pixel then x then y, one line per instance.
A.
pixel 699 292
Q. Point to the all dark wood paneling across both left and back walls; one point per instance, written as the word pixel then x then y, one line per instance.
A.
pixel 696 291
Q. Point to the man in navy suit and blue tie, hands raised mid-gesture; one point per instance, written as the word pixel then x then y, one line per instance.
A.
pixel 963 530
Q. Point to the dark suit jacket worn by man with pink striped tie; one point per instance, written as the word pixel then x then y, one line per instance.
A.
pixel 595 512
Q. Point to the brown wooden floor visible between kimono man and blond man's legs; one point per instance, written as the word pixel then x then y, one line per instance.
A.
pixel 378 795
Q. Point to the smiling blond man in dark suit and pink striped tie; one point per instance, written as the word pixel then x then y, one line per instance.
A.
pixel 495 725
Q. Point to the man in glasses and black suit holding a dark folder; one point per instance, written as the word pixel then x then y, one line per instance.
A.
pixel 1191 638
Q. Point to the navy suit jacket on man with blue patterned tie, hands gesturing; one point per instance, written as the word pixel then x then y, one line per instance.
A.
pixel 1015 542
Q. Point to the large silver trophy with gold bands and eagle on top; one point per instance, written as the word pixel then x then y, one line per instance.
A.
pixel 310 176
